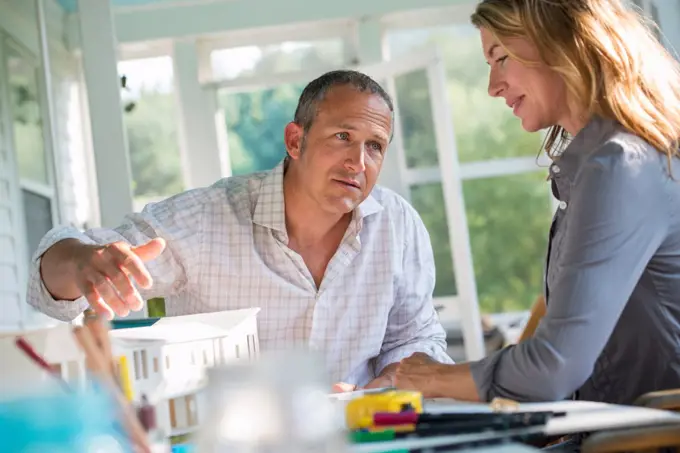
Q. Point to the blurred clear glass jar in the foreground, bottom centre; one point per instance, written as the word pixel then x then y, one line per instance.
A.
pixel 278 404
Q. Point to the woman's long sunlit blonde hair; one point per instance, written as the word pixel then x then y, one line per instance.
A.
pixel 598 47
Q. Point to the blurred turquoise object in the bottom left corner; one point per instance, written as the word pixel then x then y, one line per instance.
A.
pixel 62 423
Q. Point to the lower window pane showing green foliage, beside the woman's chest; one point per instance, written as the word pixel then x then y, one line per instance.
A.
pixel 509 220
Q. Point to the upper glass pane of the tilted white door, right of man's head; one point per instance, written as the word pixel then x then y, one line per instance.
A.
pixel 415 117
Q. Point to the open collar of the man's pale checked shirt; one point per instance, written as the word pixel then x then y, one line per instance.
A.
pixel 270 204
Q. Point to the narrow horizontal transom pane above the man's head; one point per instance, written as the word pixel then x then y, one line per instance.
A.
pixel 277 58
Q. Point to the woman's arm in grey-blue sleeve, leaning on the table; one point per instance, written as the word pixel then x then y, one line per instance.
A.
pixel 618 219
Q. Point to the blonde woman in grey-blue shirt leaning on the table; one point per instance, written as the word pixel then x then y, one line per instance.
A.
pixel 595 75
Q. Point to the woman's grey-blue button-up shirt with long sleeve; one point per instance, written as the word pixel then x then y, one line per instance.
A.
pixel 612 283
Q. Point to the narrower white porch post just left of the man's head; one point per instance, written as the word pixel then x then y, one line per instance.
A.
pixel 199 146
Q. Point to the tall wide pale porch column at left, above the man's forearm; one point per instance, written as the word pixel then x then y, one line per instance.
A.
pixel 98 45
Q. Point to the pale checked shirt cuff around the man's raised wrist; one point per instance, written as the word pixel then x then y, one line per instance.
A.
pixel 38 296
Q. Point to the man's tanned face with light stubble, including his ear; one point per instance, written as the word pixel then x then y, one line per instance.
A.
pixel 339 159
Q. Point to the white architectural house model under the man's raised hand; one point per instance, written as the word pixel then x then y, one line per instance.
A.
pixel 168 360
